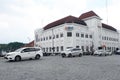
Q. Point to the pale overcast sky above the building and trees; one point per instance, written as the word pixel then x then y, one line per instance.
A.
pixel 20 18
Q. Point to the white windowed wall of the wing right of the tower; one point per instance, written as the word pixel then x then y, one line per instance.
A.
pixel 110 39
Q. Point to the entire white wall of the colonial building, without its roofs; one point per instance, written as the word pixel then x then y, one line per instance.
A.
pixel 94 28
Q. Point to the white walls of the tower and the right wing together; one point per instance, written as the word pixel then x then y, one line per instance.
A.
pixel 99 34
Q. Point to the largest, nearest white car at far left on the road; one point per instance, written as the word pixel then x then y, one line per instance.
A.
pixel 24 53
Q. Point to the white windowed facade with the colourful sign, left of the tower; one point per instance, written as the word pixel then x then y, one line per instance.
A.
pixel 64 42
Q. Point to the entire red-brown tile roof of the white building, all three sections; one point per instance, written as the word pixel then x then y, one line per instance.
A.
pixel 72 19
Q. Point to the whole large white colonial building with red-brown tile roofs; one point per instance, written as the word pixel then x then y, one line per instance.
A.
pixel 86 32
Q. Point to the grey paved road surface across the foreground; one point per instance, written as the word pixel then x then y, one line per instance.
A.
pixel 58 68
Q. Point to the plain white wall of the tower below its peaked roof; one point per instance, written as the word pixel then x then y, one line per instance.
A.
pixel 94 24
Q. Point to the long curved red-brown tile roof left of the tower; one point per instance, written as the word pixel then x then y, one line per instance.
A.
pixel 68 19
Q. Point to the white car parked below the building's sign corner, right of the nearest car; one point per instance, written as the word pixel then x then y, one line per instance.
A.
pixel 72 52
